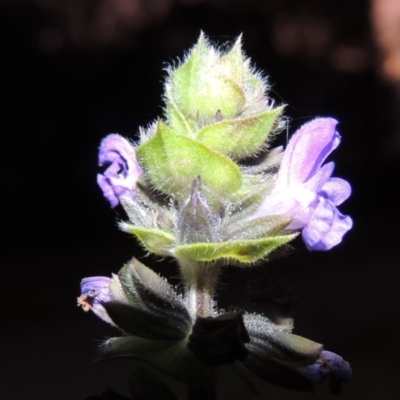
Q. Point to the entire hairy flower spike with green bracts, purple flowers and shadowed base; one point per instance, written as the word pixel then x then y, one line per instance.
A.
pixel 213 192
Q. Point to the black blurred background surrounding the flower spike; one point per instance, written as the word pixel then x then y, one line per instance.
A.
pixel 74 71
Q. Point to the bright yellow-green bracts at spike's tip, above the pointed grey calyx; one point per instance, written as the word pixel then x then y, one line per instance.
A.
pixel 216 114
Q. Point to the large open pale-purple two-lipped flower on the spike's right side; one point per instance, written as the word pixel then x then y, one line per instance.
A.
pixel 305 190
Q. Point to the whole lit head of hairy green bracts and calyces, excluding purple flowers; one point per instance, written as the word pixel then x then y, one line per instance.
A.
pixel 217 114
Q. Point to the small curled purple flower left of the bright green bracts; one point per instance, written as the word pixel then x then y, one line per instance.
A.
pixel 122 170
